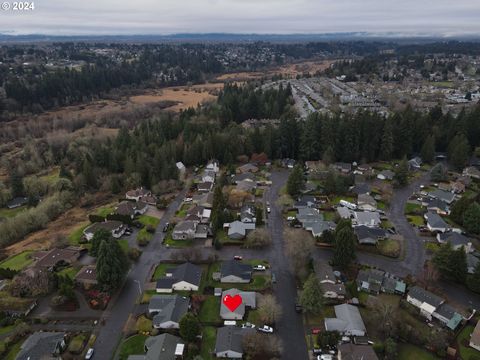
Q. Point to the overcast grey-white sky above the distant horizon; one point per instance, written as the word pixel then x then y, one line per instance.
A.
pixel 410 17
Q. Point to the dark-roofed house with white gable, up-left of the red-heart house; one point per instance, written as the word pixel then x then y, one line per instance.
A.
pixel 185 277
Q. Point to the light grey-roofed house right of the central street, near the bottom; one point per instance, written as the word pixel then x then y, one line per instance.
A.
pixel 348 321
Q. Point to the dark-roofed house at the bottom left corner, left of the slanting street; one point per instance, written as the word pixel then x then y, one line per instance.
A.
pixel 42 346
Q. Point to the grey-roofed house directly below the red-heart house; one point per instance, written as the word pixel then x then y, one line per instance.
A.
pixel 229 343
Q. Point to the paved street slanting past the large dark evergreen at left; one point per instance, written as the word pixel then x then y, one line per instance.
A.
pixel 116 315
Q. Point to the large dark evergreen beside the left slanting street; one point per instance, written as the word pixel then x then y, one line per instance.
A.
pixel 112 265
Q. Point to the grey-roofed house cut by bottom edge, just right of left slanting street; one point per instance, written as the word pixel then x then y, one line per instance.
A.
pixel 161 347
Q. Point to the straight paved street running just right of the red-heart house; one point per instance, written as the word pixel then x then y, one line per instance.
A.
pixel 290 327
